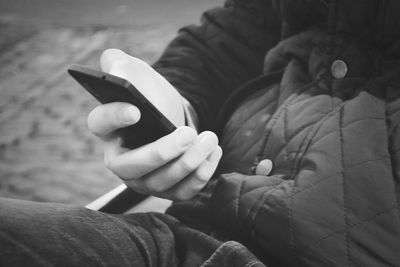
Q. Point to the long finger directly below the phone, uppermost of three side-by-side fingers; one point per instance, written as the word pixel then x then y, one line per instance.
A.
pixel 140 161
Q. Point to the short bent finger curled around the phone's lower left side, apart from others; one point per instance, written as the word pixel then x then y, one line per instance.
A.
pixel 106 118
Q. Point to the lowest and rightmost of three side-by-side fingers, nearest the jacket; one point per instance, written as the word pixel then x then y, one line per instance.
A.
pixel 193 183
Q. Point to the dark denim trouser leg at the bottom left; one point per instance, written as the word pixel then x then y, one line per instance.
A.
pixel 48 234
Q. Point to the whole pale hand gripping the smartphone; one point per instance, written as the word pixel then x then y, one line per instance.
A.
pixel 178 165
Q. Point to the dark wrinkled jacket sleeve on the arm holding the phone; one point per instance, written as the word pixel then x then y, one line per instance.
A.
pixel 207 62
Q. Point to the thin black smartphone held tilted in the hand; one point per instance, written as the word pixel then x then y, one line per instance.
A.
pixel 108 88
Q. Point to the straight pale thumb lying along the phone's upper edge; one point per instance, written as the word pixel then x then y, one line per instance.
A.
pixel 148 81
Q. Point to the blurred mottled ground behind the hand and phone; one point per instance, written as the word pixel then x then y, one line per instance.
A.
pixel 46 151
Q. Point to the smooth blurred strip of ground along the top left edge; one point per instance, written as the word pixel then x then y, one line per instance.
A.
pixel 105 12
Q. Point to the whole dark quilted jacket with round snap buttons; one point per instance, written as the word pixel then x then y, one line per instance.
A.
pixel 315 87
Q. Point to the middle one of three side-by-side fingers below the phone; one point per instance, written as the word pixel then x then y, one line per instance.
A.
pixel 169 175
